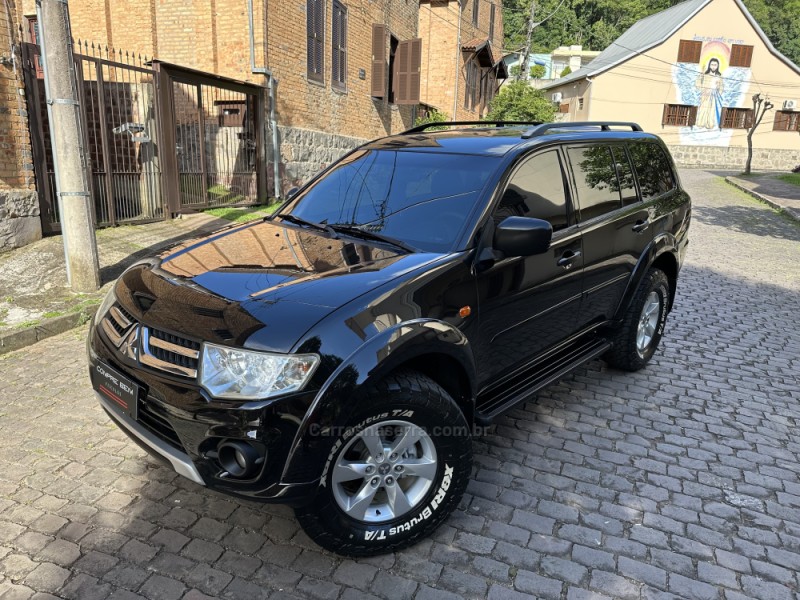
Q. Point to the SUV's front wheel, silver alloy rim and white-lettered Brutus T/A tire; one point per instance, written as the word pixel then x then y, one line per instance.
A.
pixel 403 397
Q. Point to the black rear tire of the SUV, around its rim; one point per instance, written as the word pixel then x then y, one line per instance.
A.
pixel 626 354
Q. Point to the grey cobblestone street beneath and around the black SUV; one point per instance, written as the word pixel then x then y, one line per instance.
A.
pixel 679 481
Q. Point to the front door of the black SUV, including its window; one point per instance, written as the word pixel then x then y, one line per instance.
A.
pixel 528 304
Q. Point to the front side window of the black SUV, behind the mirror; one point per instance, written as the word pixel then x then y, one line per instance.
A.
pixel 536 190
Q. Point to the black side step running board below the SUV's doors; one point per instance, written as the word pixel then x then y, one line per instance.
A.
pixel 526 383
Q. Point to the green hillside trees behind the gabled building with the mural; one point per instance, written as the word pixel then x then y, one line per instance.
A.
pixel 596 23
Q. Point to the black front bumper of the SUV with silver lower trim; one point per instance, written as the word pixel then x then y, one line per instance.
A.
pixel 178 423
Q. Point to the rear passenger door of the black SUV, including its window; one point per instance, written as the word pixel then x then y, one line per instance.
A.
pixel 614 224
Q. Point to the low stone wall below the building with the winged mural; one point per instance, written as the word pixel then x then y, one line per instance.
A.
pixel 720 157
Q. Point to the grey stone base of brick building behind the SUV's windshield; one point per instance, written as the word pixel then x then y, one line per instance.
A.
pixel 305 152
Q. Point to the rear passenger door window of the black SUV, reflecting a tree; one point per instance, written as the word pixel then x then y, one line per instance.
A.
pixel 596 180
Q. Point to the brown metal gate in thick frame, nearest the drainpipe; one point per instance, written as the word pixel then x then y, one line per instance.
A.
pixel 217 131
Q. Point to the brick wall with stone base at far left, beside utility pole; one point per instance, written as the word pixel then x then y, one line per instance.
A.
pixel 19 206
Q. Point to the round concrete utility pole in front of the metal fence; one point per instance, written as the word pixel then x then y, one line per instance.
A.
pixel 69 154
